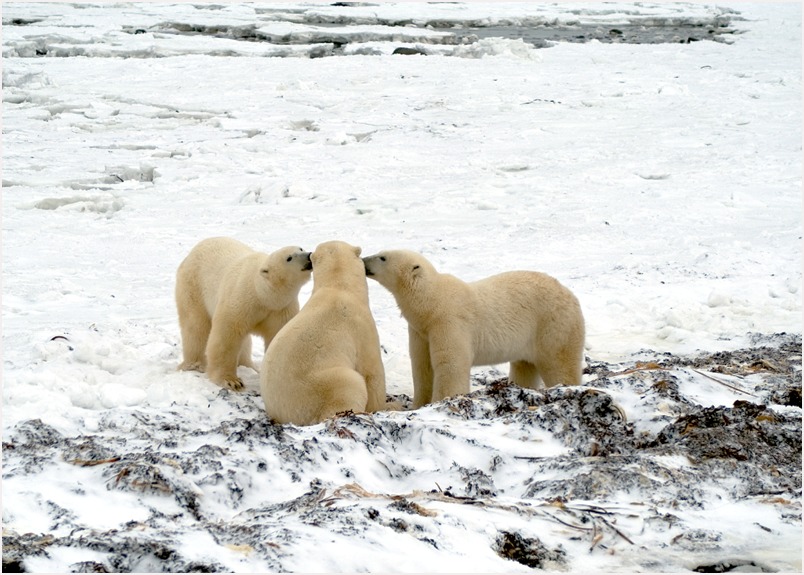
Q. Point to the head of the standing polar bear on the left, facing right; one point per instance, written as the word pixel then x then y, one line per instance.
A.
pixel 282 274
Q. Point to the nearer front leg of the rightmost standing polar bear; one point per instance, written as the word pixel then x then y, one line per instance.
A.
pixel 451 357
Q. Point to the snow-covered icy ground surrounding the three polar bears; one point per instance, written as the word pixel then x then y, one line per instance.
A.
pixel 661 183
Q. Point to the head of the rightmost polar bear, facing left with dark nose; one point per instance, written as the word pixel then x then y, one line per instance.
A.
pixel 399 271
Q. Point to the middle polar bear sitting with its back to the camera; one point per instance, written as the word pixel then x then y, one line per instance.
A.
pixel 327 359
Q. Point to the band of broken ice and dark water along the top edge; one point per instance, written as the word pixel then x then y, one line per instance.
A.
pixel 345 30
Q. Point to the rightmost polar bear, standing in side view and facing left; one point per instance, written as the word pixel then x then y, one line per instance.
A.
pixel 526 318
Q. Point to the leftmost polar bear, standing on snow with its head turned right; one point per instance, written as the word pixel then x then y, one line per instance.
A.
pixel 225 291
